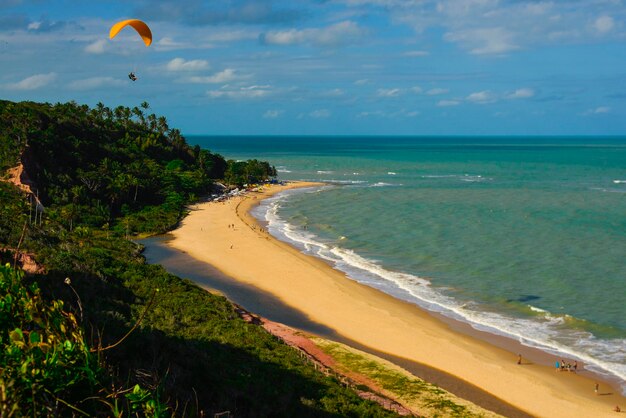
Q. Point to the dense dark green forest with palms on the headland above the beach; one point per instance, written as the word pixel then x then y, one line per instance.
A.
pixel 100 163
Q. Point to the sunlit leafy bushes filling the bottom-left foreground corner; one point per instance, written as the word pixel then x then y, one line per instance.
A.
pixel 47 365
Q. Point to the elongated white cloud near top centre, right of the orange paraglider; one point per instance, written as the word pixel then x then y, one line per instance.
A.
pixel 337 34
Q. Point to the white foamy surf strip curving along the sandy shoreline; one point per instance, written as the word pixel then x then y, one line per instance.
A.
pixel 544 331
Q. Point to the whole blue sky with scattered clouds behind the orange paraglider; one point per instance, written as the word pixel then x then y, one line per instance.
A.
pixel 346 67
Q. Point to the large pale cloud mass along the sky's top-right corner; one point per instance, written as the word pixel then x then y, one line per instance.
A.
pixel 501 26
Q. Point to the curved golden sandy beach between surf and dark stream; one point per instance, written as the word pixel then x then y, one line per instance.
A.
pixel 374 319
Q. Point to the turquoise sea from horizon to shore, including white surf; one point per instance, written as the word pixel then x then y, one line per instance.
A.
pixel 524 237
